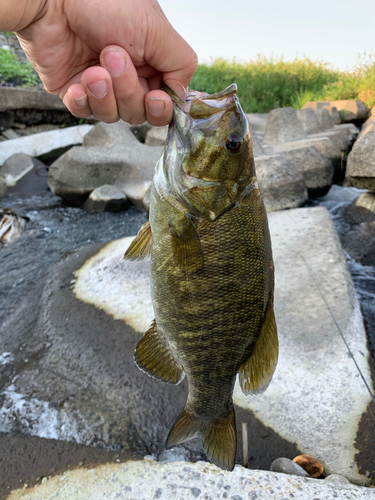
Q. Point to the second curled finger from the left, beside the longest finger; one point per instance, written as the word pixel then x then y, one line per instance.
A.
pixel 101 98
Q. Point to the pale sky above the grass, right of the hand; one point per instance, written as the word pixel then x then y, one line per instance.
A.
pixel 333 31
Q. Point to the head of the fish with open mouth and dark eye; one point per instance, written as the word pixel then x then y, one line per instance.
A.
pixel 208 158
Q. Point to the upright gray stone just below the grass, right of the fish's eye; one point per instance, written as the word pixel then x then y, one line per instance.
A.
pixel 283 126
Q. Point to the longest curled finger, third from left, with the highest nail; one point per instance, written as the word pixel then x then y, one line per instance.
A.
pixel 127 87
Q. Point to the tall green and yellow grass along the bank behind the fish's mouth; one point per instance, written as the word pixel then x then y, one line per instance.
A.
pixel 266 84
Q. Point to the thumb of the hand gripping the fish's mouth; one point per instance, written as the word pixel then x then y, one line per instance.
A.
pixel 169 53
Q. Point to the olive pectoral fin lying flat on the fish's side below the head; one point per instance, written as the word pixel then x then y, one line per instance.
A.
pixel 187 247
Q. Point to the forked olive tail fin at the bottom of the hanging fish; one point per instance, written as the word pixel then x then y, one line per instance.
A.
pixel 219 436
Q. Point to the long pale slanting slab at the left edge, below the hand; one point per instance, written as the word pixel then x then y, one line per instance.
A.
pixel 45 142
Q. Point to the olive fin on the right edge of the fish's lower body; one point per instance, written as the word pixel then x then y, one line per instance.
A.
pixel 257 371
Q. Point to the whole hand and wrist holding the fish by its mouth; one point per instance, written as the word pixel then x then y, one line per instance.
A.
pixel 105 59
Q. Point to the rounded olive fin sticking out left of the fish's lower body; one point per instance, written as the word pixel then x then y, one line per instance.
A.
pixel 153 357
